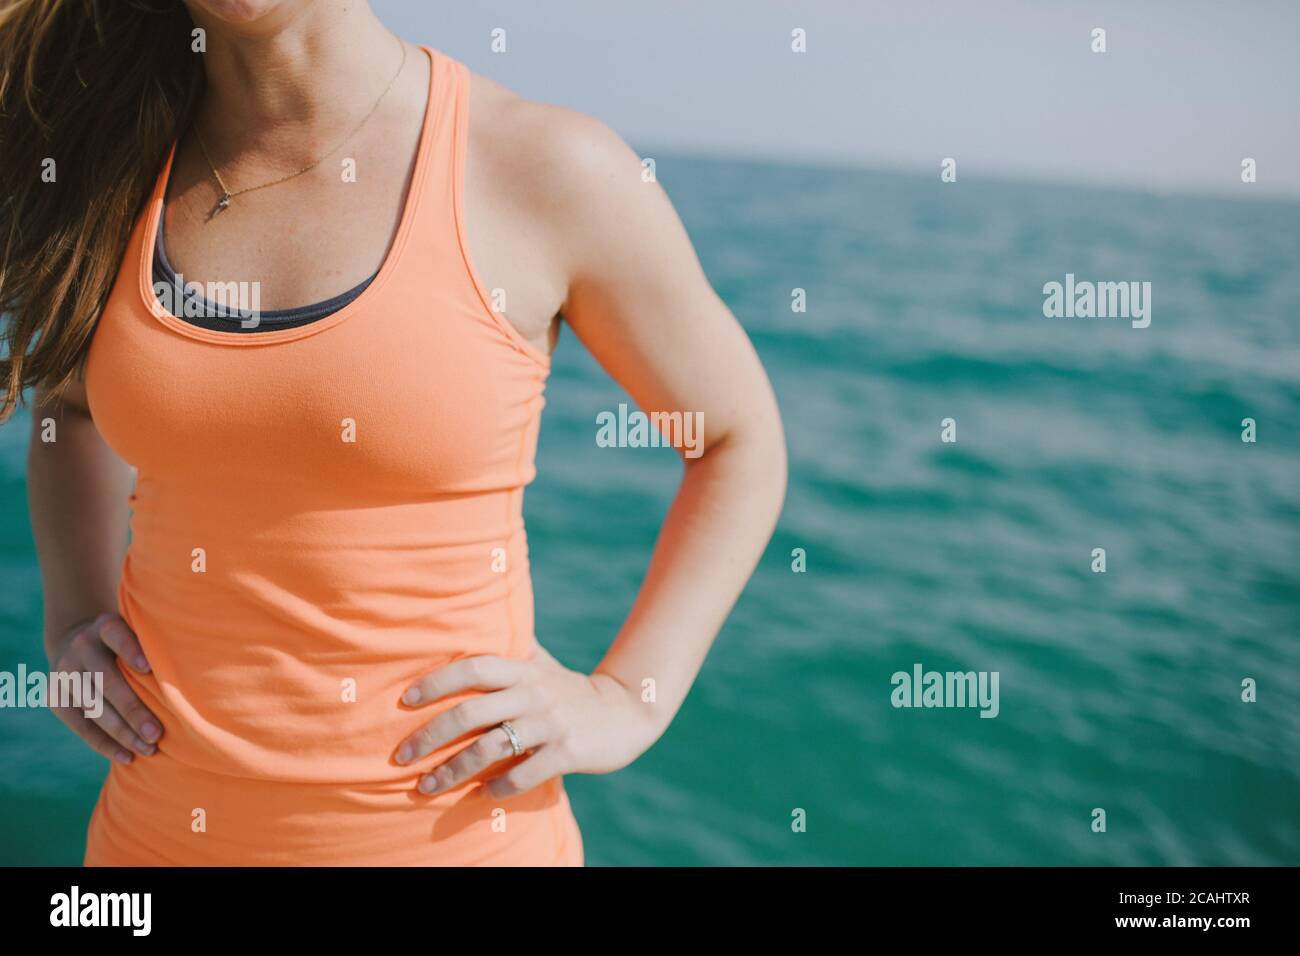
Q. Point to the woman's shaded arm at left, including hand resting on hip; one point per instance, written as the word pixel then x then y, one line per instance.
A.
pixel 79 494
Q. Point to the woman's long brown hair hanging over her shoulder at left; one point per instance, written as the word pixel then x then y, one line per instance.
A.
pixel 93 94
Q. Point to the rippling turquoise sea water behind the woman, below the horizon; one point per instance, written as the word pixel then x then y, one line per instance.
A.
pixel 1117 691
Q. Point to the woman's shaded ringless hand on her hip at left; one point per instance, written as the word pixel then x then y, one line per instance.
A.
pixel 124 724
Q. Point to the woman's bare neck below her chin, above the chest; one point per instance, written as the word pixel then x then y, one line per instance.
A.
pixel 292 83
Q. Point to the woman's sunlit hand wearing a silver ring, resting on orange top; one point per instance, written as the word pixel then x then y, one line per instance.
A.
pixel 566 721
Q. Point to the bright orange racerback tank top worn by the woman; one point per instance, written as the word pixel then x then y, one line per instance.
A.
pixel 322 516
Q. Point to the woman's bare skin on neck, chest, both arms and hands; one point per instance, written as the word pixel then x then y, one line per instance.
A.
pixel 558 214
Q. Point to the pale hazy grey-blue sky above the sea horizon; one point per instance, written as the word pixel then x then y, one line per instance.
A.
pixel 1011 88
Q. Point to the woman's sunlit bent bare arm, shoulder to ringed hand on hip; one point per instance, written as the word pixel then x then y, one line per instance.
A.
pixel 640 302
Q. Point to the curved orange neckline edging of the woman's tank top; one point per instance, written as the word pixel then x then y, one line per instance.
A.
pixel 254 339
